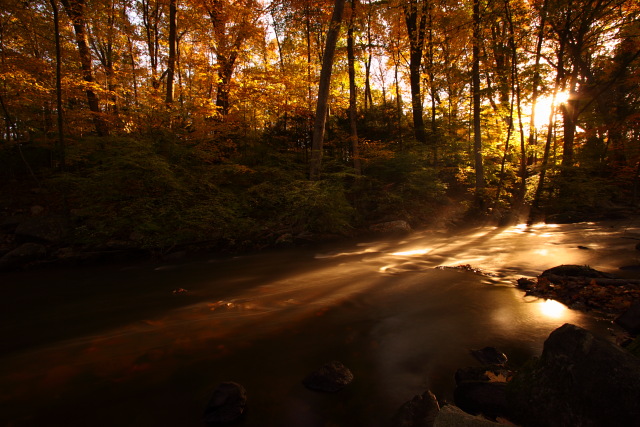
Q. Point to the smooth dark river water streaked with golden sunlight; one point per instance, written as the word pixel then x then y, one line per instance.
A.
pixel 125 346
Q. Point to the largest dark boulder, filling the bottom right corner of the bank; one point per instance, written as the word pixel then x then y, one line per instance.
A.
pixel 579 380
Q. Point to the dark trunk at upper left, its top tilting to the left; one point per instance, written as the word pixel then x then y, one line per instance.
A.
pixel 75 11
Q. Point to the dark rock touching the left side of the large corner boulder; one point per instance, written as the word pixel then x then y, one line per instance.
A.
pixel 487 398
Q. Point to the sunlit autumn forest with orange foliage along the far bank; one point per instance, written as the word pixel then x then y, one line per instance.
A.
pixel 238 124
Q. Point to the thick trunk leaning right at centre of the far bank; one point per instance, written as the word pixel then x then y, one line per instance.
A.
pixel 323 89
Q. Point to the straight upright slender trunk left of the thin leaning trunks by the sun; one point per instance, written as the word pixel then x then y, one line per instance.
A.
pixel 477 136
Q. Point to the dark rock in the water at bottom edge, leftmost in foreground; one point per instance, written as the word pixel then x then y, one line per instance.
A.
pixel 226 405
